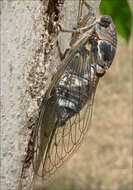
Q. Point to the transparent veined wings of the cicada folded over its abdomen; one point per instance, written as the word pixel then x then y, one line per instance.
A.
pixel 56 138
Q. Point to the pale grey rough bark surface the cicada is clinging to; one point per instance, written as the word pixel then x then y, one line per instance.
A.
pixel 25 76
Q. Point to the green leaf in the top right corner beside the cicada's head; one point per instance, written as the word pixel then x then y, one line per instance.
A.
pixel 120 12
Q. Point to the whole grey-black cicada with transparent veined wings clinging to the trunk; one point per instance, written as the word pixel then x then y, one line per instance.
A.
pixel 66 109
